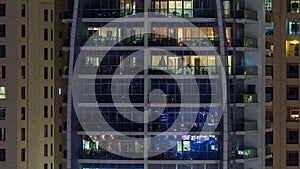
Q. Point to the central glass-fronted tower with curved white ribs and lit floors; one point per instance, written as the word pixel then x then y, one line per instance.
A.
pixel 193 70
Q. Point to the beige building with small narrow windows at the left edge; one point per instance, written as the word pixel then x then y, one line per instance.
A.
pixel 30 103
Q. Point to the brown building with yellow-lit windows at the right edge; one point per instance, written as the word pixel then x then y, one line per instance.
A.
pixel 282 82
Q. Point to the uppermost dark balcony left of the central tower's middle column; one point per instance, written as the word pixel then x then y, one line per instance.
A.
pixel 108 13
